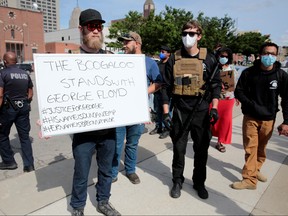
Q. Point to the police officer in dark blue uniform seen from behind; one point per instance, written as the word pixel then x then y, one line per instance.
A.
pixel 16 92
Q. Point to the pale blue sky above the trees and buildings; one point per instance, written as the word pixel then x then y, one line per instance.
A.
pixel 266 16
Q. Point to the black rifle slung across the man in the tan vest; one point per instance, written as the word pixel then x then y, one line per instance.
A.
pixel 195 109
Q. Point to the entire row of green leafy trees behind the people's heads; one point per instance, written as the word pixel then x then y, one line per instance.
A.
pixel 165 28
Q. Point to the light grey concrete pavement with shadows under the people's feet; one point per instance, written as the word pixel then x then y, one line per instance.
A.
pixel 47 190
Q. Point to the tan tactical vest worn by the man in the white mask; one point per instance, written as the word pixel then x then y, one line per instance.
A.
pixel 188 74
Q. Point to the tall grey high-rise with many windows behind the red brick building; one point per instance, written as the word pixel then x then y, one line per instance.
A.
pixel 49 8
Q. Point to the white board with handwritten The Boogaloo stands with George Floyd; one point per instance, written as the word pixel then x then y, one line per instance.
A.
pixel 84 92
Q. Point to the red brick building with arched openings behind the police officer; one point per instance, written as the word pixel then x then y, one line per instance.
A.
pixel 21 31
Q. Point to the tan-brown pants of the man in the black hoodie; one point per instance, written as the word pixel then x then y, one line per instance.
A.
pixel 256 135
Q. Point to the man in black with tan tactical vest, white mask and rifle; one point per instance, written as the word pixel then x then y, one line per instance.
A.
pixel 193 82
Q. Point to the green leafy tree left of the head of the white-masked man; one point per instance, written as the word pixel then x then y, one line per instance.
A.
pixel 155 31
